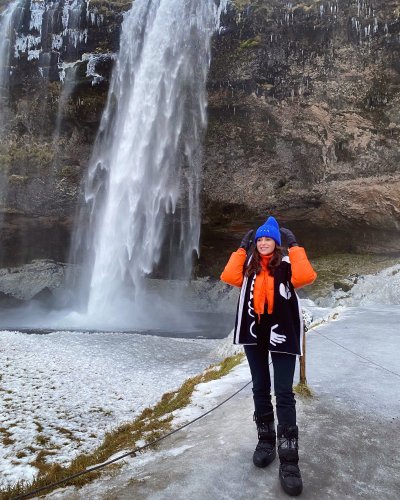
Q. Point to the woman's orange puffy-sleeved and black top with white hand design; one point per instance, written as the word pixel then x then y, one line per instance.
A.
pixel 271 296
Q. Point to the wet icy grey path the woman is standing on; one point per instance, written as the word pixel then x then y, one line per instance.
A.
pixel 348 430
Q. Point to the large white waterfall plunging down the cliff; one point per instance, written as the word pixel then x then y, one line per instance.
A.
pixel 142 190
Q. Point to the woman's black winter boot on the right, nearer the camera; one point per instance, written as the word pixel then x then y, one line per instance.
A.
pixel 289 472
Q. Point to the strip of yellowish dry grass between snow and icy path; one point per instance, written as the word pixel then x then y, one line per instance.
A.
pixel 151 424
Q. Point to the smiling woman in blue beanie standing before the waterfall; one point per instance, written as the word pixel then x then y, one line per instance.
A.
pixel 269 320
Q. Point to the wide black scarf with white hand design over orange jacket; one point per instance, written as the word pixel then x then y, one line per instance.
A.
pixel 283 329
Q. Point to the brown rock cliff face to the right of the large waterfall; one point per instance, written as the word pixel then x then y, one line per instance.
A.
pixel 305 121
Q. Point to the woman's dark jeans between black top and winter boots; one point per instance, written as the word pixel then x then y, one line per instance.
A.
pixel 284 366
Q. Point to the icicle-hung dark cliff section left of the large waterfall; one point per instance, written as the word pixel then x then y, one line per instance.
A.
pixel 61 60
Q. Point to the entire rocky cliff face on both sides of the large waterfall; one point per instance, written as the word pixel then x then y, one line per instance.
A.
pixel 304 122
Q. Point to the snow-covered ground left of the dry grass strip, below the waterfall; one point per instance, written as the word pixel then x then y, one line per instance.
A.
pixel 62 391
